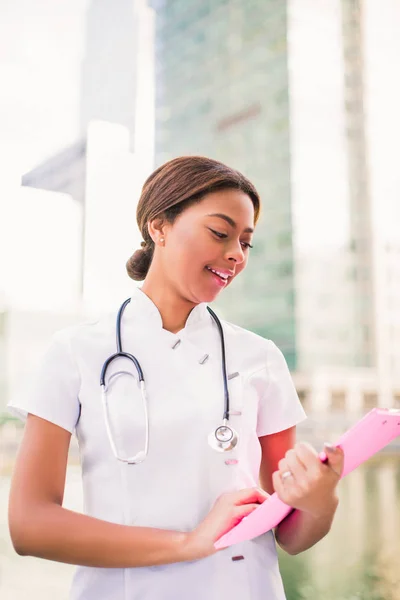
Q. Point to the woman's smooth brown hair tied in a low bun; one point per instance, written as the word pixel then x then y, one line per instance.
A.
pixel 171 189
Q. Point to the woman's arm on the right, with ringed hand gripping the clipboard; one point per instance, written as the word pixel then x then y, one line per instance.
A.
pixel 311 489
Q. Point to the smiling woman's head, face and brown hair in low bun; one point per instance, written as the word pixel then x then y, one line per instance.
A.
pixel 203 213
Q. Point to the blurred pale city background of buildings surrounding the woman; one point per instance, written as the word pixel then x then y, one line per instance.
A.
pixel 302 96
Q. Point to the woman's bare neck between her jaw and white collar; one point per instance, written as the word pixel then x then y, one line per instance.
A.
pixel 174 310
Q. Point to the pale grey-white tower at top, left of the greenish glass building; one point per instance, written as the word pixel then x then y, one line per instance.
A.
pixel 117 69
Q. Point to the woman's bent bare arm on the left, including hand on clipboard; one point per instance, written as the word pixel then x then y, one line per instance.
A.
pixel 41 527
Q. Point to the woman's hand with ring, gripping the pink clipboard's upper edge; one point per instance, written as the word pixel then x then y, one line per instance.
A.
pixel 306 483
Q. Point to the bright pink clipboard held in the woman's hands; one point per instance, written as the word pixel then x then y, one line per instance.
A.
pixel 372 433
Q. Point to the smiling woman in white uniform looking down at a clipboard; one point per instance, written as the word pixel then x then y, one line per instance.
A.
pixel 150 527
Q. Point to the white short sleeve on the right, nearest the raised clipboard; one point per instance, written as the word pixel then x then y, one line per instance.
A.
pixel 279 407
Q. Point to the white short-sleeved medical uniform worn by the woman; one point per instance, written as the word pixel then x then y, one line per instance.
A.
pixel 177 484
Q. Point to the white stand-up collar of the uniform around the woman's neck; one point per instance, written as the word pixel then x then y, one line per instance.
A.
pixel 144 309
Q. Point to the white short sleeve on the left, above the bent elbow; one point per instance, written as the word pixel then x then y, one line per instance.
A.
pixel 53 391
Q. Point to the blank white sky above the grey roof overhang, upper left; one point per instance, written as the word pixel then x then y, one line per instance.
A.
pixel 41 46
